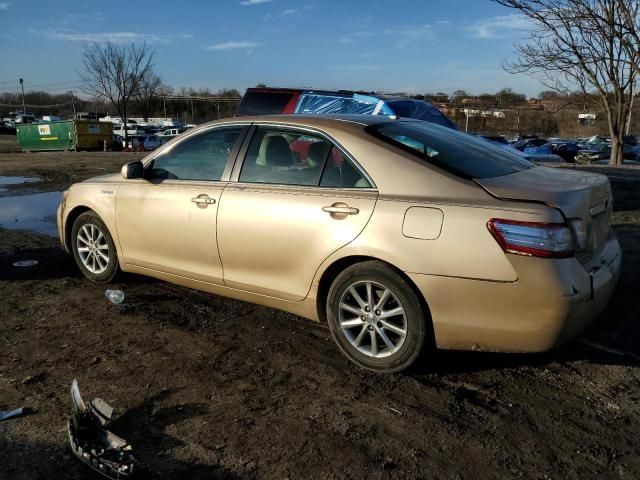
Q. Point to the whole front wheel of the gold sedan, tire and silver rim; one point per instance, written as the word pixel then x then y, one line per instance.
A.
pixel 93 248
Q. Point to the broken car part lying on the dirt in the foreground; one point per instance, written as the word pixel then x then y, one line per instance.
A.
pixel 93 444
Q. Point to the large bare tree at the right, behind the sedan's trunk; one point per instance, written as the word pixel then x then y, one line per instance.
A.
pixel 583 44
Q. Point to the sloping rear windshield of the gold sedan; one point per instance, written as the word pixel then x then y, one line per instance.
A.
pixel 451 150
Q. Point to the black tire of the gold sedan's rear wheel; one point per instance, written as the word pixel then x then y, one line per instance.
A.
pixel 414 321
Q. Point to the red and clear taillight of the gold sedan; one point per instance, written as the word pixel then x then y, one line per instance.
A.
pixel 548 240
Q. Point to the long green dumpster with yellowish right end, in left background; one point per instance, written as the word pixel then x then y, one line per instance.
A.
pixel 64 135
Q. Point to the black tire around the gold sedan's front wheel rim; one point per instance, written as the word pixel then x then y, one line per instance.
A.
pixel 92 221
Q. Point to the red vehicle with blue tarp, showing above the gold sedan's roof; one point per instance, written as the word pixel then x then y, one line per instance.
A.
pixel 268 101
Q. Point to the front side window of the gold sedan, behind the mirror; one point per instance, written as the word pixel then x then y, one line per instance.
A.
pixel 202 156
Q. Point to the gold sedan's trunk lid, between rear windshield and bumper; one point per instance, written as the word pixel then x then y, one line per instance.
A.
pixel 578 195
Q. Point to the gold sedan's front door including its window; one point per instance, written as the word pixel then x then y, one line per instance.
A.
pixel 167 222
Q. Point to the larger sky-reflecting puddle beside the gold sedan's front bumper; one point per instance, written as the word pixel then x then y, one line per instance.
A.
pixel 35 212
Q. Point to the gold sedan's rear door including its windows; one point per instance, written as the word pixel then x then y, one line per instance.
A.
pixel 298 198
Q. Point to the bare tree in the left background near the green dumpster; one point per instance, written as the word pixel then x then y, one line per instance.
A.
pixel 116 72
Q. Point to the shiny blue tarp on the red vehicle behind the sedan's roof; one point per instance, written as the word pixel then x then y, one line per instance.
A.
pixel 311 102
